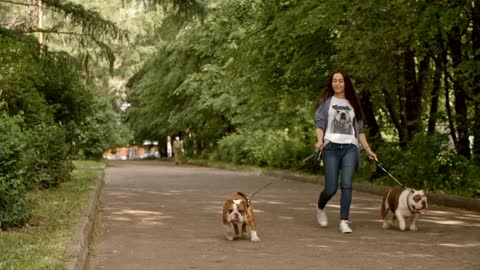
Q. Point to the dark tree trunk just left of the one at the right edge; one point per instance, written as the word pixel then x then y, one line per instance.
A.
pixel 455 43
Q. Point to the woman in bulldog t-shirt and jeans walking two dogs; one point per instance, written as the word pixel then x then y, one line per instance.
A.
pixel 339 129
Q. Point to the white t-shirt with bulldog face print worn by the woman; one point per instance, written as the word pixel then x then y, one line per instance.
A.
pixel 340 128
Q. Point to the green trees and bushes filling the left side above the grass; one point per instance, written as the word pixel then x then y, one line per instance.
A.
pixel 50 109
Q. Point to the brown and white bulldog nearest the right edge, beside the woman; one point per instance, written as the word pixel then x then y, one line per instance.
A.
pixel 403 203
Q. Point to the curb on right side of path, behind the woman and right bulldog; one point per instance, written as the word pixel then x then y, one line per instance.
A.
pixel 433 198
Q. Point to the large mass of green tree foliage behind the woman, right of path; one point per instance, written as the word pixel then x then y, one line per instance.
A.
pixel 261 65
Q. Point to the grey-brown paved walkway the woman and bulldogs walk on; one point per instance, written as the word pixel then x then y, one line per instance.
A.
pixel 161 216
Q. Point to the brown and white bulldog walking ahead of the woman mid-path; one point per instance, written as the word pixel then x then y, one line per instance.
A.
pixel 238 214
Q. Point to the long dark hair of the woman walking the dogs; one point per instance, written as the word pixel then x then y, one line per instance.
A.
pixel 350 94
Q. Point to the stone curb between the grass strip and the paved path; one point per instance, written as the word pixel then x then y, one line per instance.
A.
pixel 77 249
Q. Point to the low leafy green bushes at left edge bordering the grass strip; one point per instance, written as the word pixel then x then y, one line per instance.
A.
pixel 29 158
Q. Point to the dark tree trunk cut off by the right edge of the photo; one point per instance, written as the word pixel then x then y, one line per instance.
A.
pixel 476 90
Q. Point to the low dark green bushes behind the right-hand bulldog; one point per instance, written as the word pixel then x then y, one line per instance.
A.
pixel 430 163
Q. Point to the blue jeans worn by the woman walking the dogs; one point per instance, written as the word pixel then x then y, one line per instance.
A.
pixel 336 158
